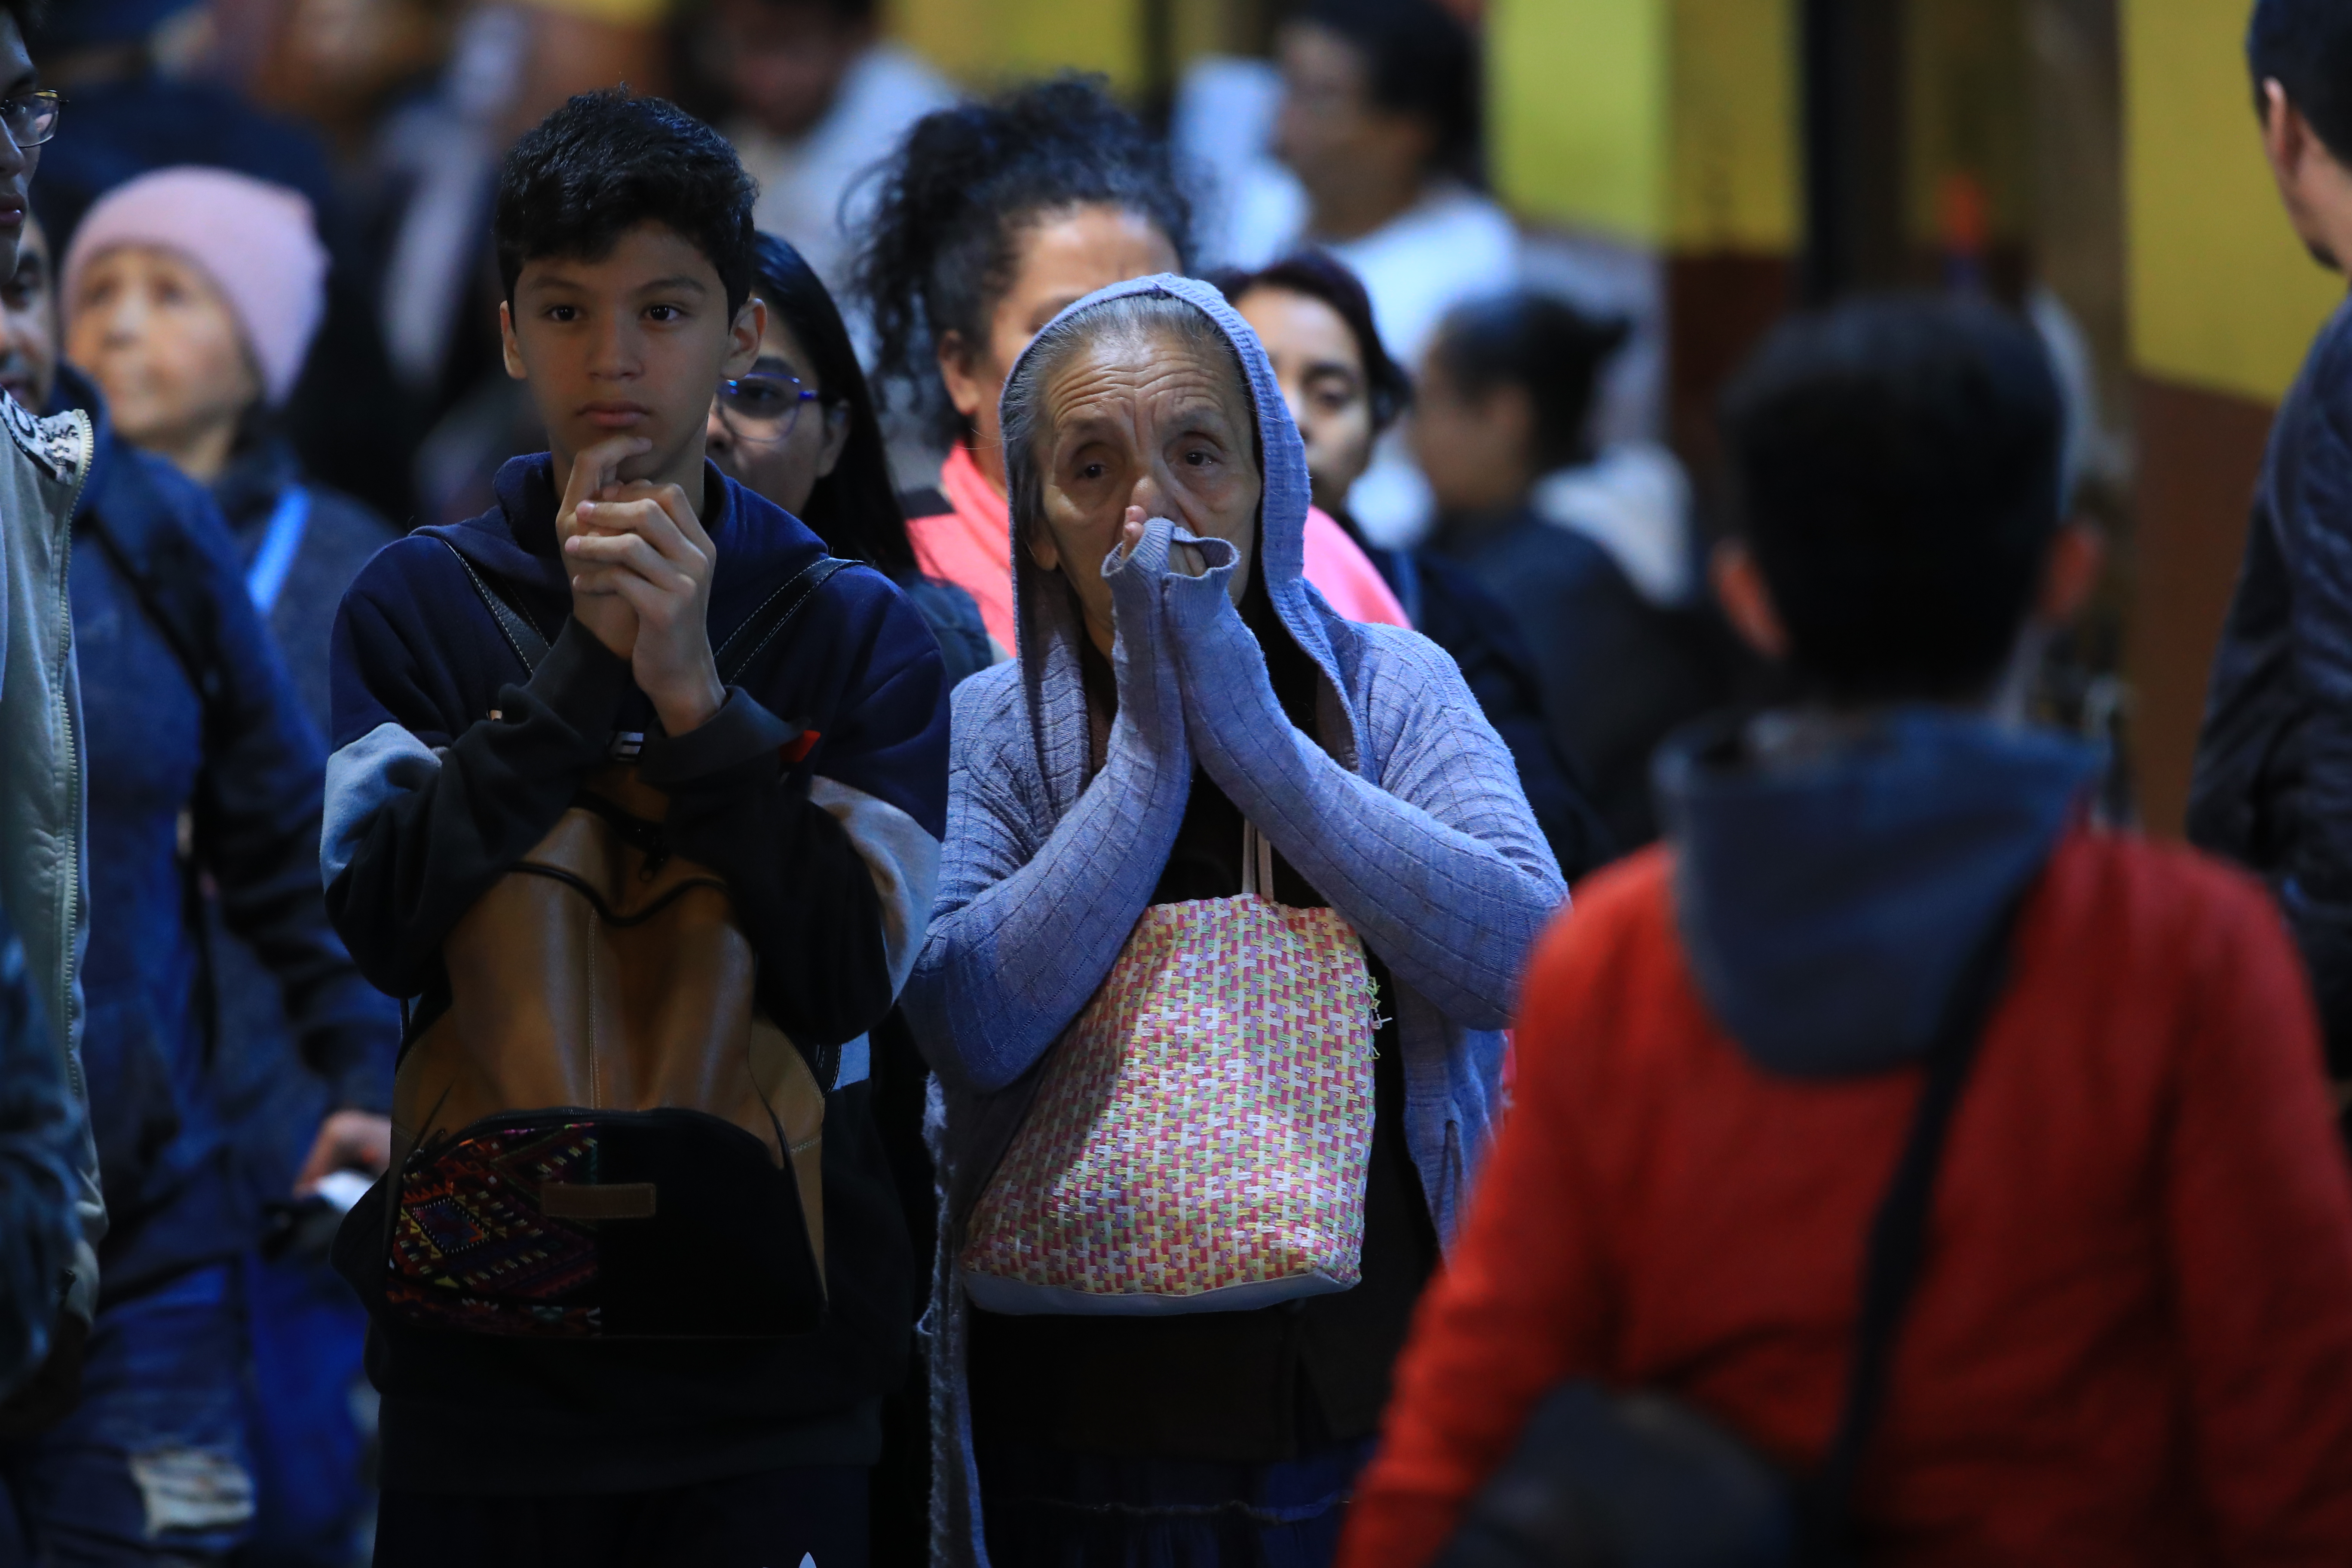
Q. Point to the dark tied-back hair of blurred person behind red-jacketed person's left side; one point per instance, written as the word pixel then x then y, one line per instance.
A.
pixel 1542 344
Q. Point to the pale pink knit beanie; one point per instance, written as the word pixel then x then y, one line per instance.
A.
pixel 253 239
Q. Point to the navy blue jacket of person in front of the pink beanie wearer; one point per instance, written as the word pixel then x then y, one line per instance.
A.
pixel 246 770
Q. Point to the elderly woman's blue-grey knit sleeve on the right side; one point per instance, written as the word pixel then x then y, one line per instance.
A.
pixel 1441 864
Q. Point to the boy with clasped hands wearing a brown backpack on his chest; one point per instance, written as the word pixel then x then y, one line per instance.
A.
pixel 636 800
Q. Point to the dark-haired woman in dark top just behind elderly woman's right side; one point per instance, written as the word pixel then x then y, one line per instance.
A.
pixel 1344 394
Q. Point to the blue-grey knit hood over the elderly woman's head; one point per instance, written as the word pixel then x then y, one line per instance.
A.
pixel 1048 622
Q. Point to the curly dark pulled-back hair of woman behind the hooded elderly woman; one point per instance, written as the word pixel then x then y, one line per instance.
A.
pixel 942 246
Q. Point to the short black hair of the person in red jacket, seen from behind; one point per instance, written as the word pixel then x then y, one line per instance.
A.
pixel 1897 467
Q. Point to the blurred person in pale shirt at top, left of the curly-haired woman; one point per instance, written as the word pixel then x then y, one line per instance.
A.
pixel 817 100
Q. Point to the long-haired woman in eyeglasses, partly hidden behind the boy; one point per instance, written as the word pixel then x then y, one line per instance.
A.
pixel 801 429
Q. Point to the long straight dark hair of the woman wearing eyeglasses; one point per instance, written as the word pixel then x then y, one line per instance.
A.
pixel 855 509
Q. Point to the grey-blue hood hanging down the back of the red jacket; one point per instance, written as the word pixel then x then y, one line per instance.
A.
pixel 1833 876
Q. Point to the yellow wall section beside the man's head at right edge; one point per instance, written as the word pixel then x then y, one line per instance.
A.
pixel 2221 293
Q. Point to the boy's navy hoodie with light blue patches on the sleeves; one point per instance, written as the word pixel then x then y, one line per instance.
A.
pixel 831 857
